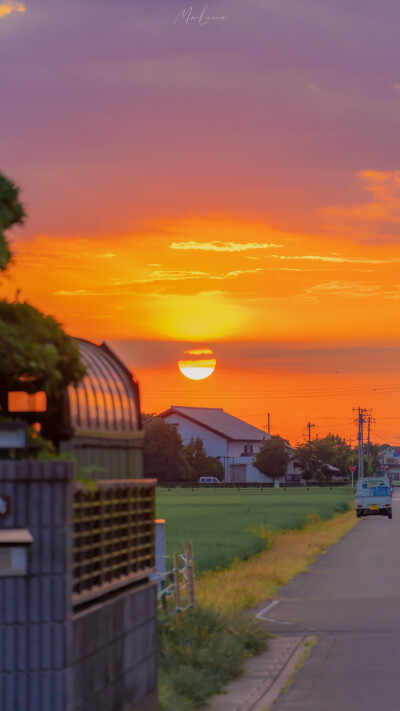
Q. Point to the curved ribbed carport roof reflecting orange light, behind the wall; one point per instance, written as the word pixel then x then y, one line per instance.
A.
pixel 107 400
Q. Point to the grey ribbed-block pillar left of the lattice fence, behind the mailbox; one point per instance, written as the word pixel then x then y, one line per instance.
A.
pixel 35 610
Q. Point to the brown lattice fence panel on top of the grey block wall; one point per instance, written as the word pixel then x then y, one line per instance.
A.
pixel 113 542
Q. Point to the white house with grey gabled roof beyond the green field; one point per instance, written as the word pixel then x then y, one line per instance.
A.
pixel 233 441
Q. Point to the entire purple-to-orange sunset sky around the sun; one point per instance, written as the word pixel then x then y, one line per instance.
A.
pixel 231 183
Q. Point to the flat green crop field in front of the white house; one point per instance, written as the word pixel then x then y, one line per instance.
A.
pixel 228 524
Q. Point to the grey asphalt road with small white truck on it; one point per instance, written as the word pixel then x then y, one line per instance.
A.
pixel 351 600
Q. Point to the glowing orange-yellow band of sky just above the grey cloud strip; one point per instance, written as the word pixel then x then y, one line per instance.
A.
pixel 221 278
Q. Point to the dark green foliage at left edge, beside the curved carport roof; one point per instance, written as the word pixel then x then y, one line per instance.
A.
pixel 35 348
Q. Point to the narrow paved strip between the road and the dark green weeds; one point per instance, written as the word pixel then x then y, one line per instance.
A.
pixel 263 679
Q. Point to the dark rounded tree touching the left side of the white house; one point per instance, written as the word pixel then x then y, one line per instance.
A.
pixel 164 456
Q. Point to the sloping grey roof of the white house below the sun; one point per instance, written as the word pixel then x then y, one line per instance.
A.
pixel 218 421
